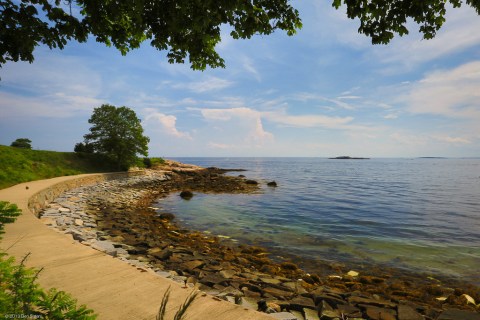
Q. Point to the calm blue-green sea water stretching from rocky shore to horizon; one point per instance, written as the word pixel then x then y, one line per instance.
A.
pixel 416 214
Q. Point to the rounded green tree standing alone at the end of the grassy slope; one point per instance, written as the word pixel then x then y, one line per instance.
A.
pixel 118 134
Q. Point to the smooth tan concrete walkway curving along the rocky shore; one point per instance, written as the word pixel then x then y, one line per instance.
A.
pixel 114 289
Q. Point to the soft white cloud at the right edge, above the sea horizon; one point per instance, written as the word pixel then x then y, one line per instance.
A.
pixel 452 93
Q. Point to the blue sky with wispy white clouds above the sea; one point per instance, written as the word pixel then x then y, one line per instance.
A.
pixel 327 91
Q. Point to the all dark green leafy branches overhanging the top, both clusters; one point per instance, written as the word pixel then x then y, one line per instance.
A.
pixel 190 28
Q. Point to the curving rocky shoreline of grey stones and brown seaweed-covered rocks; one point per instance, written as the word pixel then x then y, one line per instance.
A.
pixel 116 217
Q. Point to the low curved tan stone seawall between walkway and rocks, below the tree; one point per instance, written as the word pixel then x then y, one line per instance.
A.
pixel 39 200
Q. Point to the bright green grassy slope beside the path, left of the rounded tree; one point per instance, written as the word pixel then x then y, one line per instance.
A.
pixel 21 165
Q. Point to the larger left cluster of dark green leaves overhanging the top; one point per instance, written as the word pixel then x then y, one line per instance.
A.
pixel 183 27
